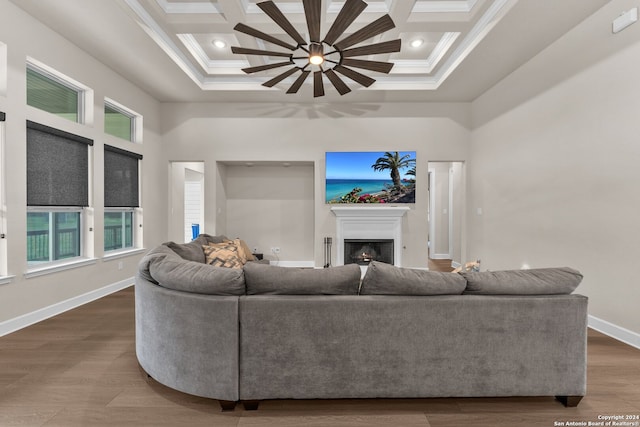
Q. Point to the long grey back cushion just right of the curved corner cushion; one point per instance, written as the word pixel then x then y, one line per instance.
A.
pixel 273 280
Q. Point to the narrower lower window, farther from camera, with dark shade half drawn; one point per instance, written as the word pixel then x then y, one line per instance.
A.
pixel 121 196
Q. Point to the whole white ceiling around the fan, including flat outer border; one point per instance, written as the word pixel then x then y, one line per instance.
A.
pixel 466 45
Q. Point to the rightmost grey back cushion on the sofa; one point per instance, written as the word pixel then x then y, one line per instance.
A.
pixel 540 281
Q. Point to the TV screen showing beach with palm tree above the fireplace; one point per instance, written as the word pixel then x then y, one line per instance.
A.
pixel 370 177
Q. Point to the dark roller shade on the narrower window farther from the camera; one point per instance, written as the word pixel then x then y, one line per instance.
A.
pixel 120 178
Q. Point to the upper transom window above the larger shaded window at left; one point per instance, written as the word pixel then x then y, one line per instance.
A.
pixel 54 94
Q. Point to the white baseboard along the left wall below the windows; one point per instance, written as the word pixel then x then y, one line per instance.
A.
pixel 17 323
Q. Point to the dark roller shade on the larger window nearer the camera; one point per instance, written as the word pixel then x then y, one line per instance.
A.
pixel 57 167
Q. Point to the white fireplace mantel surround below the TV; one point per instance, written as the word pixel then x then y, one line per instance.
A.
pixel 369 222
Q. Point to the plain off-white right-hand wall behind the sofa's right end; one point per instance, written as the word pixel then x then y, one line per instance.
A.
pixel 556 175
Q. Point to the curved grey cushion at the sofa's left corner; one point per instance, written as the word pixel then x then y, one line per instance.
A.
pixel 164 267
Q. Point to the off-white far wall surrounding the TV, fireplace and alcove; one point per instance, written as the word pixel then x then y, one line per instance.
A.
pixel 219 133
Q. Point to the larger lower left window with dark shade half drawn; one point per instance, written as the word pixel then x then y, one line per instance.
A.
pixel 57 192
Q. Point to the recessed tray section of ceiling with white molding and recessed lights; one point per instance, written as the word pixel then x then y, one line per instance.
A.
pixel 188 32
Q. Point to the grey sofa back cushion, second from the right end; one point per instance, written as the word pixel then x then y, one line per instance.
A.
pixel 386 279
